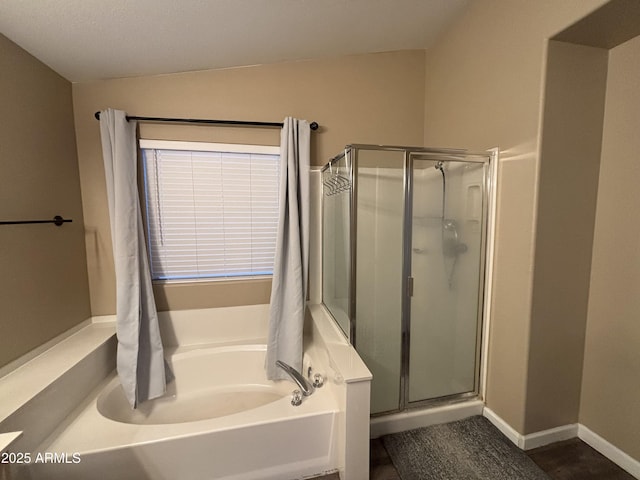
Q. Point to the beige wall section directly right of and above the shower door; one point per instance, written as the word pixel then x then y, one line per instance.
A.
pixel 484 87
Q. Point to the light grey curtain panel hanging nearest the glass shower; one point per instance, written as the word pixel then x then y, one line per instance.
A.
pixel 289 285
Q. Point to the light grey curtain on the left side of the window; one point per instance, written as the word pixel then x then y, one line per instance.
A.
pixel 140 356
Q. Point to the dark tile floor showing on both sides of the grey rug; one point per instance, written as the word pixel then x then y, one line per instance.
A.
pixel 569 460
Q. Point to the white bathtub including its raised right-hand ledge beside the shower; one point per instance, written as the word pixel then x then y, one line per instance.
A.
pixel 221 418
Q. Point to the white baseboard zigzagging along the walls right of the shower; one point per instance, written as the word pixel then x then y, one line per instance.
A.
pixel 565 432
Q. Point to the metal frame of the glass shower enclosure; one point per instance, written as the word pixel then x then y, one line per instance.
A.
pixel 350 154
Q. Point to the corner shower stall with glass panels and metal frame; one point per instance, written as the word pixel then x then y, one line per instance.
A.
pixel 404 240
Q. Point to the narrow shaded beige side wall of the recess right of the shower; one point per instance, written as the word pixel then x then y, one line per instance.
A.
pixel 569 162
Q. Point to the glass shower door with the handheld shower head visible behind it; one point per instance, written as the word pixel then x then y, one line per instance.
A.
pixel 448 208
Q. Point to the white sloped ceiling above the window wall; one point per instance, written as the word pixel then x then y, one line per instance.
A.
pixel 86 40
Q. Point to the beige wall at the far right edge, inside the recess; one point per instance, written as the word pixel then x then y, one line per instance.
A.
pixel 610 386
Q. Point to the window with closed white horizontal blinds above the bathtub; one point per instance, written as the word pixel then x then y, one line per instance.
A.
pixel 212 209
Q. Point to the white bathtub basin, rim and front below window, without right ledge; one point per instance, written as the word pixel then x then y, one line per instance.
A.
pixel 183 436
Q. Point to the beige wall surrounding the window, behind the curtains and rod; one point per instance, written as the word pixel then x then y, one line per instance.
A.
pixel 374 98
